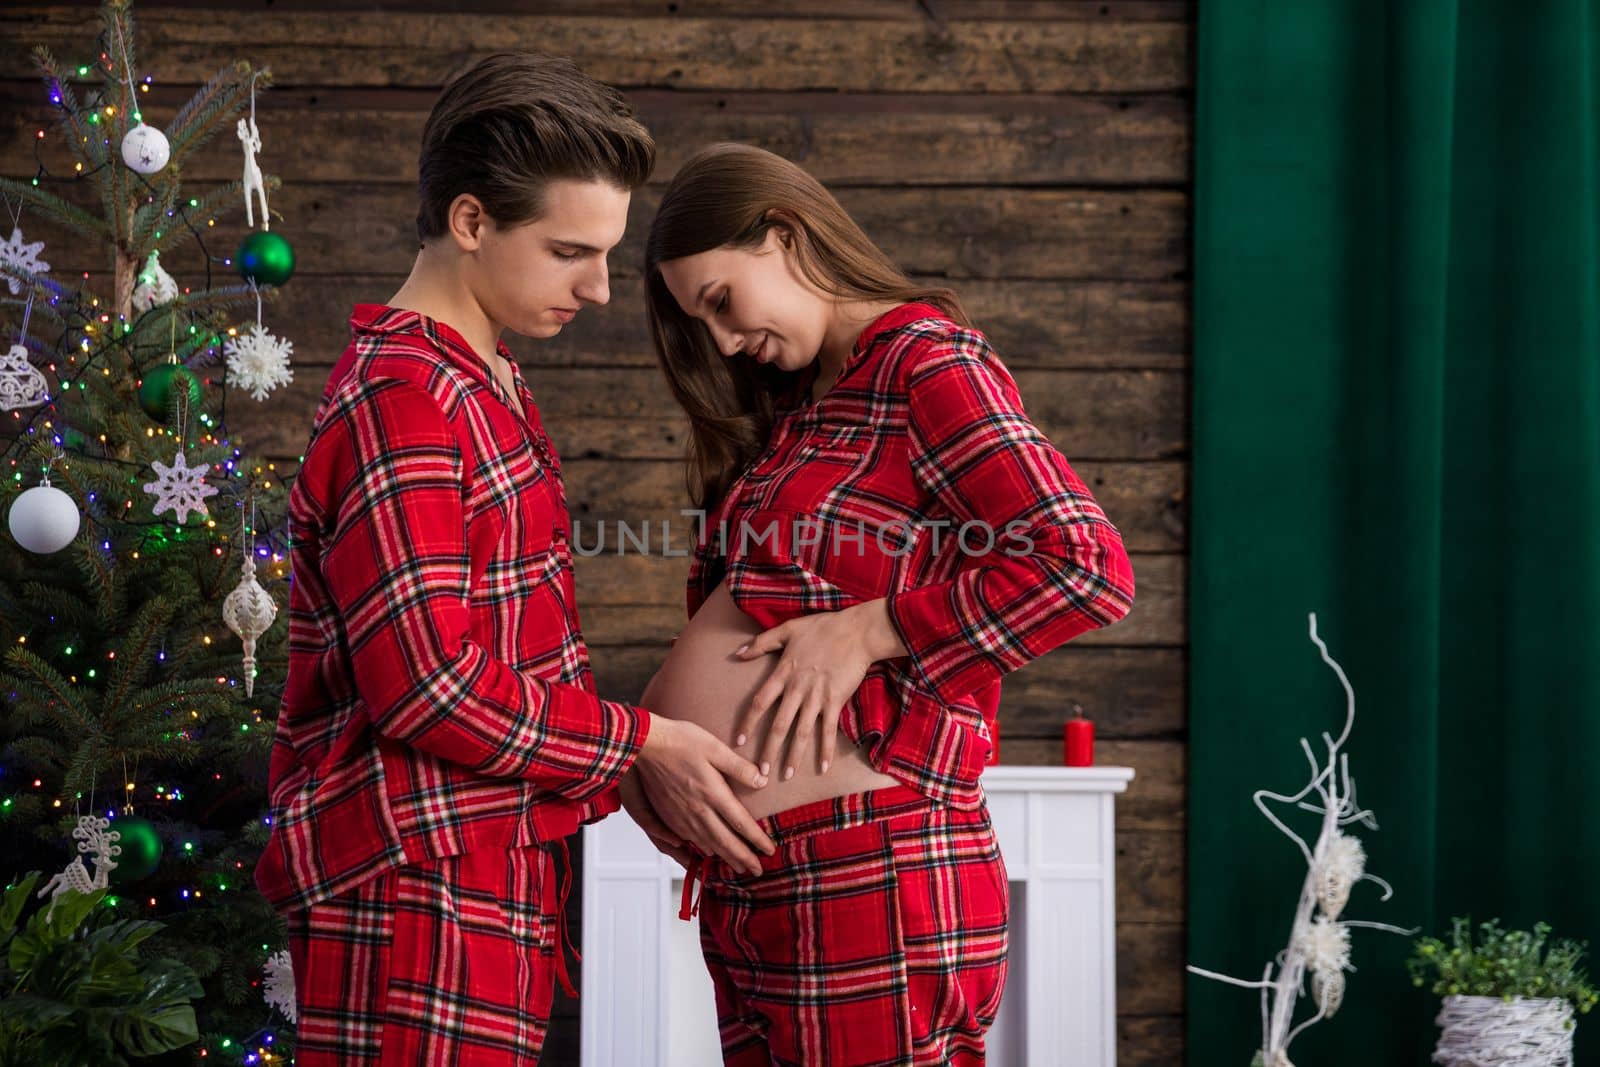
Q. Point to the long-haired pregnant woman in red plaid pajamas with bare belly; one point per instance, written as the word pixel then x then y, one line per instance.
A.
pixel 887 535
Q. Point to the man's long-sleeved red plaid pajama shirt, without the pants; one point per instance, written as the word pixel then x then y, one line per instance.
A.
pixel 439 692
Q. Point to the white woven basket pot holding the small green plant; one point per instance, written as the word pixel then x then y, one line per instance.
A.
pixel 1494 1033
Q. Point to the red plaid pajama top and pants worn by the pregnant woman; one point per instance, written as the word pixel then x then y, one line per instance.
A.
pixel 878 933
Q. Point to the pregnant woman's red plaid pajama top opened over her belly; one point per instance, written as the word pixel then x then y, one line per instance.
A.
pixel 894 486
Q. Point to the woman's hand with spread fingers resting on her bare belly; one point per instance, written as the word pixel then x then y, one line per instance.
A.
pixel 825 660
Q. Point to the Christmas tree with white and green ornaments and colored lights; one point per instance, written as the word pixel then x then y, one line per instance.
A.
pixel 135 518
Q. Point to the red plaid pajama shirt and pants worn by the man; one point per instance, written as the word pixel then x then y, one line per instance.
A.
pixel 441 722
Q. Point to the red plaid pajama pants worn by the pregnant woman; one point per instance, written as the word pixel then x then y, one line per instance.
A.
pixel 874 937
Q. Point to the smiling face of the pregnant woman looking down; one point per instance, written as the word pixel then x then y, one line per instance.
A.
pixel 756 303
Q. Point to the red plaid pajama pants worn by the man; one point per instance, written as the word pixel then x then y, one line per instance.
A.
pixel 446 962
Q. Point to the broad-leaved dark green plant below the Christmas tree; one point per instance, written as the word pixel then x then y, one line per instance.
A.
pixel 76 989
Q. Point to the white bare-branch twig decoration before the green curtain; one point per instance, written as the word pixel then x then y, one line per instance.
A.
pixel 1319 940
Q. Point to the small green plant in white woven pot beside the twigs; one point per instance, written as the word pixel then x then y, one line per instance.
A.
pixel 1511 996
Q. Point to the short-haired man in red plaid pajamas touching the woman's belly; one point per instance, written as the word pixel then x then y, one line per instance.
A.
pixel 441 735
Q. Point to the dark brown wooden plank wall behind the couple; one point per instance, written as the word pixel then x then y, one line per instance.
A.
pixel 1033 153
